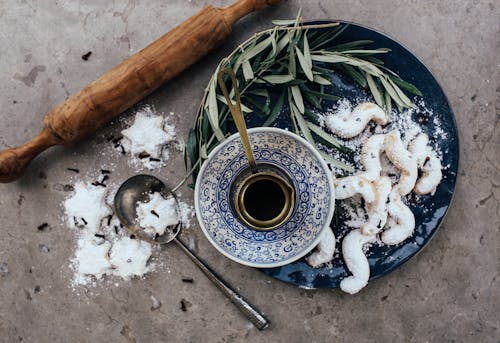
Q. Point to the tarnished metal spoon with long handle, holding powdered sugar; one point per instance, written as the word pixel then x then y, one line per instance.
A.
pixel 136 189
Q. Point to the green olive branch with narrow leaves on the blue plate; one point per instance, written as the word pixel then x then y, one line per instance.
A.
pixel 296 59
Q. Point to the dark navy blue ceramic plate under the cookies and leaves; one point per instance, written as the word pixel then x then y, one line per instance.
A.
pixel 429 210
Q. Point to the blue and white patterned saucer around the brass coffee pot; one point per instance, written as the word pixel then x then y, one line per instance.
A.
pixel 313 208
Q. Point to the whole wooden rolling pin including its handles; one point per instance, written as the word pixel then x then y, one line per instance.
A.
pixel 129 82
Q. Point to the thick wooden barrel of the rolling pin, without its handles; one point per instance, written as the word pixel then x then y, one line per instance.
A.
pixel 138 76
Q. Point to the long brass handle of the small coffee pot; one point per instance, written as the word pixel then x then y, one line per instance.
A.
pixel 235 109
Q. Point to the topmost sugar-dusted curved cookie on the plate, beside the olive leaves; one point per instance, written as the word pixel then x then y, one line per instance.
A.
pixel 352 124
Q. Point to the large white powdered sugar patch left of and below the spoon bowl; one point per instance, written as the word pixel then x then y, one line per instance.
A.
pixel 104 247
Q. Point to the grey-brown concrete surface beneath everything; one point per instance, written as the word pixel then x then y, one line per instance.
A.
pixel 449 293
